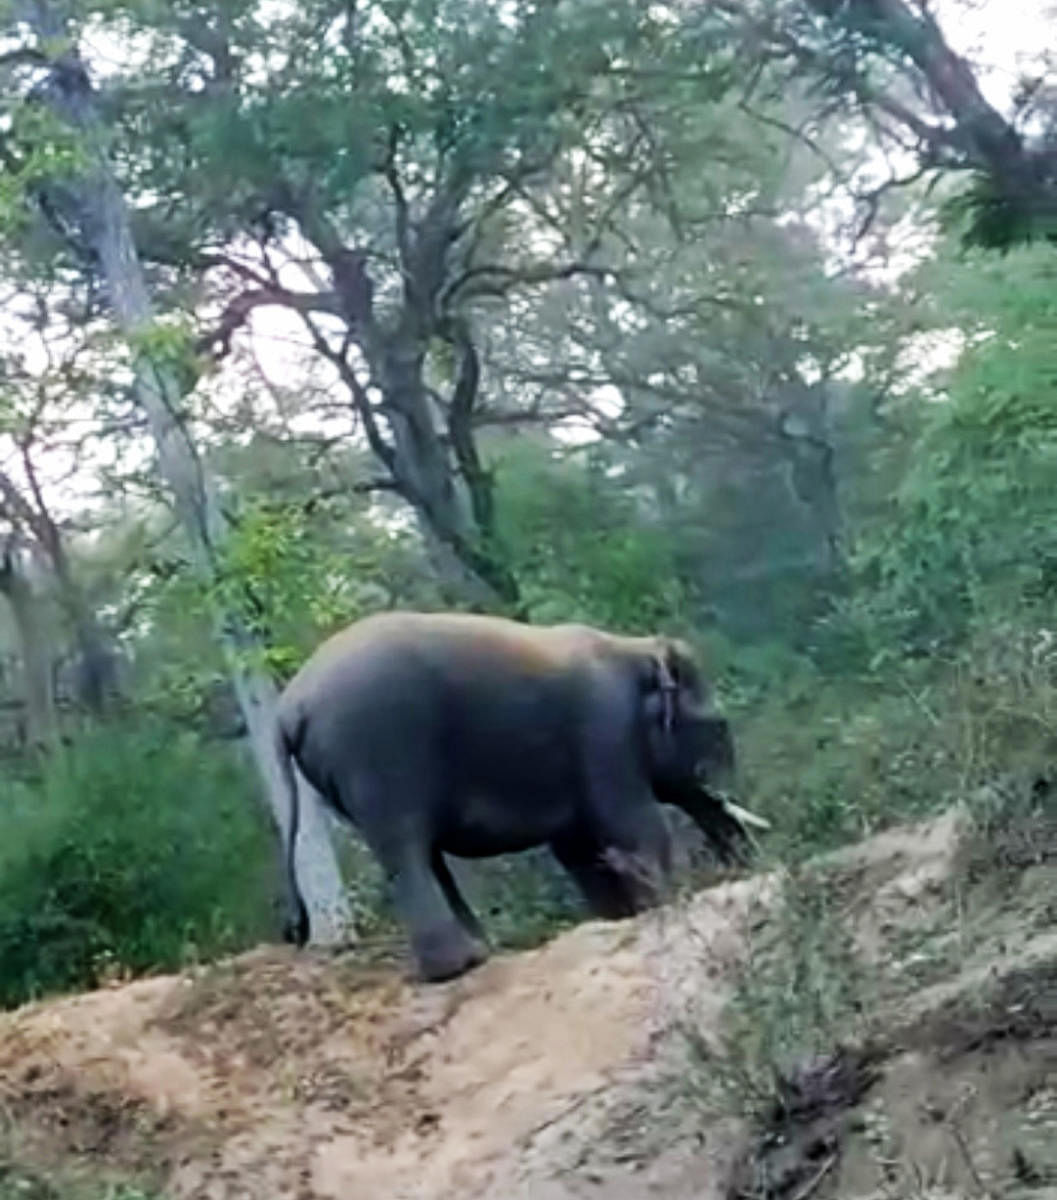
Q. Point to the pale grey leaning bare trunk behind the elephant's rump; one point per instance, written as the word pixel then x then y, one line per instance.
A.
pixel 106 229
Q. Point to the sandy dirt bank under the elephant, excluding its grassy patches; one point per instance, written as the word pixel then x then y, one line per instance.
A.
pixel 539 1076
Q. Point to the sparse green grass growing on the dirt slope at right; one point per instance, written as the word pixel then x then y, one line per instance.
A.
pixel 810 1001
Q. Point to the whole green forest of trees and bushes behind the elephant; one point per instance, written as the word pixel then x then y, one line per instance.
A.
pixel 730 320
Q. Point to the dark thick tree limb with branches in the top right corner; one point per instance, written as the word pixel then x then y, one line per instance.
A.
pixel 890 64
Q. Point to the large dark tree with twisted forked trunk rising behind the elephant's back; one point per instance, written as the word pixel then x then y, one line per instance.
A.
pixel 388 193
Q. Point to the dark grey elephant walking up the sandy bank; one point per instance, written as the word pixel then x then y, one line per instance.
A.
pixel 442 734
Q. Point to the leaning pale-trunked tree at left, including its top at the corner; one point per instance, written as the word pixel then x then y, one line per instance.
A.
pixel 99 227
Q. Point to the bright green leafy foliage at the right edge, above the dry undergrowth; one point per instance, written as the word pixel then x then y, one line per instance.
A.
pixel 974 525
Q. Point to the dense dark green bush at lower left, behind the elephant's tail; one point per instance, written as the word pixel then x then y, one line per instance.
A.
pixel 137 850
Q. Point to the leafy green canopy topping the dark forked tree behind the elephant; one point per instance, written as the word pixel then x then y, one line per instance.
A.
pixel 443 93
